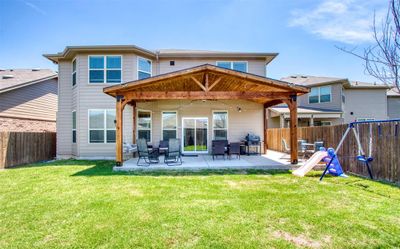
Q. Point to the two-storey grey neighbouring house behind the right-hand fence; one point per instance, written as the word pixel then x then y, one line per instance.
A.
pixel 333 101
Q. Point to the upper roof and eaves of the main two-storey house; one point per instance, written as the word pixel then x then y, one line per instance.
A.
pixel 71 51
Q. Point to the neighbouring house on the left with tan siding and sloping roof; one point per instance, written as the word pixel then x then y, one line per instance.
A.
pixel 28 100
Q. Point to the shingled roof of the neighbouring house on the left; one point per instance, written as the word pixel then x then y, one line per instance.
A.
pixel 11 79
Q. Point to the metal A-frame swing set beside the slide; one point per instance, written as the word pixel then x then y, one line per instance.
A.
pixel 362 157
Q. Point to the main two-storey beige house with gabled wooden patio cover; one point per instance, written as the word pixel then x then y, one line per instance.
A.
pixel 193 95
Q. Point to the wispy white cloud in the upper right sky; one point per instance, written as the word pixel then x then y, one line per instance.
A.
pixel 347 21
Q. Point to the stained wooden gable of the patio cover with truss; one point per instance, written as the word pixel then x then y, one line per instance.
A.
pixel 206 82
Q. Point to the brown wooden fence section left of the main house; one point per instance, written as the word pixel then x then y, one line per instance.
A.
pixel 18 148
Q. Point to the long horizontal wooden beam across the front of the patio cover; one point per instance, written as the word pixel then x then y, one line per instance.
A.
pixel 199 95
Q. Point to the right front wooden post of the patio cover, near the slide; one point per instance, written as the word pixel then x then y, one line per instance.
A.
pixel 292 104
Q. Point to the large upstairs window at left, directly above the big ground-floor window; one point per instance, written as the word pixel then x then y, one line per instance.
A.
pixel 105 69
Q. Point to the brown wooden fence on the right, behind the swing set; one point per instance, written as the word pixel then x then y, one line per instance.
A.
pixel 385 146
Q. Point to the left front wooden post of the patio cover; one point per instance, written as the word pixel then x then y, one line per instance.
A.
pixel 119 128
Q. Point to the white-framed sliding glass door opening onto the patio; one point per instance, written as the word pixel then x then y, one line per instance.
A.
pixel 194 134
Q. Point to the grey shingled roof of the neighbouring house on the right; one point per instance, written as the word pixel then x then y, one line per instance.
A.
pixel 308 80
